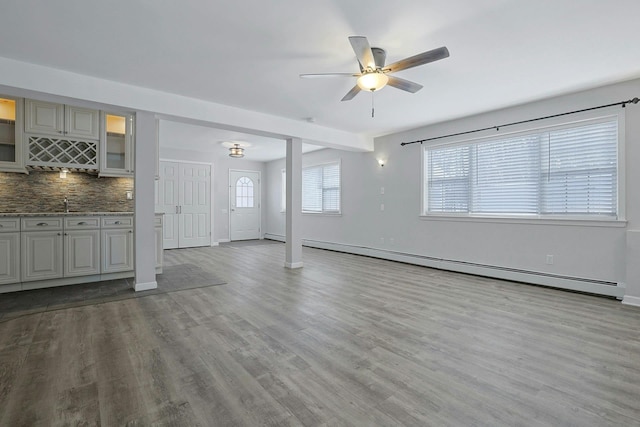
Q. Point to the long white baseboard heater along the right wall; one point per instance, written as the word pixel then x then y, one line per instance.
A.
pixel 532 277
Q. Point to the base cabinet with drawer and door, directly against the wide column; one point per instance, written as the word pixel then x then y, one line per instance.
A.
pixel 117 244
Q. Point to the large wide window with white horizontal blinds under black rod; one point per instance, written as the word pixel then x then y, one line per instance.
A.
pixel 570 170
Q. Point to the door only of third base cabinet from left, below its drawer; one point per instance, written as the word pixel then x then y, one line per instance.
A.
pixel 81 252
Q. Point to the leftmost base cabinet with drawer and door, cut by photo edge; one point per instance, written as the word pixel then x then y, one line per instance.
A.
pixel 9 252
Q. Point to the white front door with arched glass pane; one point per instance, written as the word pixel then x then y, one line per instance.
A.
pixel 244 205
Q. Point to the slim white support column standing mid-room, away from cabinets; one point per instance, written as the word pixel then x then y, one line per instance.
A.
pixel 293 236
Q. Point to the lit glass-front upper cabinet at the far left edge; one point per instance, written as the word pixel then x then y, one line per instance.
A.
pixel 11 120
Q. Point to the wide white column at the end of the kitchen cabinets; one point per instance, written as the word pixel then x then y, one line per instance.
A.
pixel 144 190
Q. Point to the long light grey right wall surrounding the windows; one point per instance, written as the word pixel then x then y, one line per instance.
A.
pixel 580 251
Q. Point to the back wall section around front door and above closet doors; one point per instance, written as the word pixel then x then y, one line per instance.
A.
pixel 220 183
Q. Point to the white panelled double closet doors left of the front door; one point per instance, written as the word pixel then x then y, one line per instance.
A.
pixel 183 195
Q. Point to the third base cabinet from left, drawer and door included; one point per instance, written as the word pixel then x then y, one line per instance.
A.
pixel 81 246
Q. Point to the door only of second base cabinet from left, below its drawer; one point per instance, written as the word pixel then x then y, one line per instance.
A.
pixel 41 255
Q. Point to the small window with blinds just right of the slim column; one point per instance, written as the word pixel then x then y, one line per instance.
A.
pixel 321 188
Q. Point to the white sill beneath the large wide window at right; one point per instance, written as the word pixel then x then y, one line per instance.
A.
pixel 578 222
